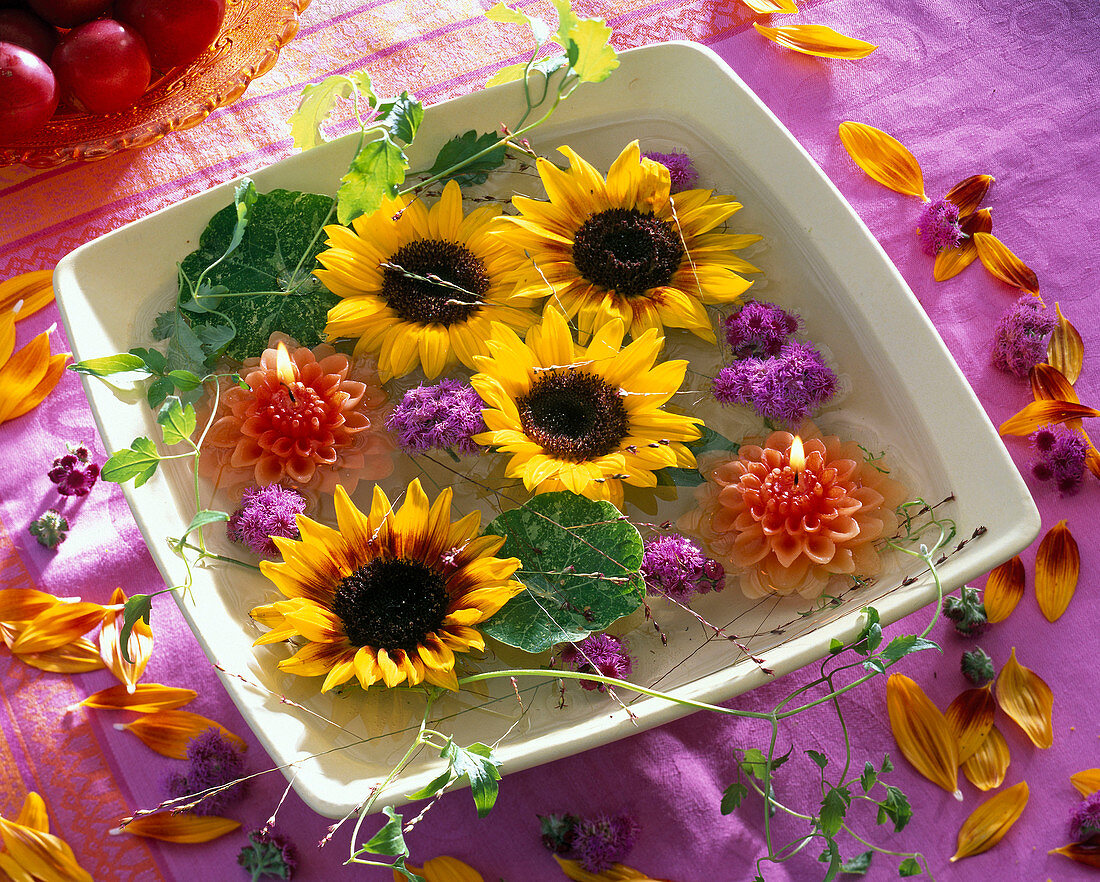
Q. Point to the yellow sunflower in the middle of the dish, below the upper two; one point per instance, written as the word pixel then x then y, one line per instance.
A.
pixel 582 418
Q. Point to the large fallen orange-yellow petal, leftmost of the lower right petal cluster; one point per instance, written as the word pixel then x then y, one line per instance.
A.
pixel 922 733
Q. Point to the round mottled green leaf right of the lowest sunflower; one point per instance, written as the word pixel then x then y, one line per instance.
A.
pixel 580 564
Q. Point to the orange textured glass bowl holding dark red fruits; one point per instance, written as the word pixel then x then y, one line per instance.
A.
pixel 247 48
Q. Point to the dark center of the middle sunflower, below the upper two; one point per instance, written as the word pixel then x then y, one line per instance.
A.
pixel 574 415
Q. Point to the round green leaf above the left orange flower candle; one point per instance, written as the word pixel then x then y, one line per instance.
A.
pixel 278 256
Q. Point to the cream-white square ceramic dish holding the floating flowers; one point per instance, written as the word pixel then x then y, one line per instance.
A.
pixel 904 393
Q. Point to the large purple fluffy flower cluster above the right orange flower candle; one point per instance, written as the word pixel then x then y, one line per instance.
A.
pixel 786 389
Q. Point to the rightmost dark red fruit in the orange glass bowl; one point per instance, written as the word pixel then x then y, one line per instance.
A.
pixel 175 31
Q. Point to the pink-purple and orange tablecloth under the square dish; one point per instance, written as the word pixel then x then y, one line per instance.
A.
pixel 970 86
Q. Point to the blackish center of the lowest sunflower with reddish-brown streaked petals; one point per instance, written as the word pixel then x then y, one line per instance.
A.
pixel 391 603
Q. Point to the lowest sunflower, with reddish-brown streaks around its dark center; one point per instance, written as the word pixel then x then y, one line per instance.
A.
pixel 388 598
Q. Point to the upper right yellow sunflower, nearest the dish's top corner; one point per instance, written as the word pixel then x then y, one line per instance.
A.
pixel 625 249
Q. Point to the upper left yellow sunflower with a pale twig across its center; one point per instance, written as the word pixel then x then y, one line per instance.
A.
pixel 420 286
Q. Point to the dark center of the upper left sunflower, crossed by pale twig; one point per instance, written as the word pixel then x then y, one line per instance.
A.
pixel 438 282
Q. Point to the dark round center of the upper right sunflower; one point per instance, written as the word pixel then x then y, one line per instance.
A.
pixel 625 251
